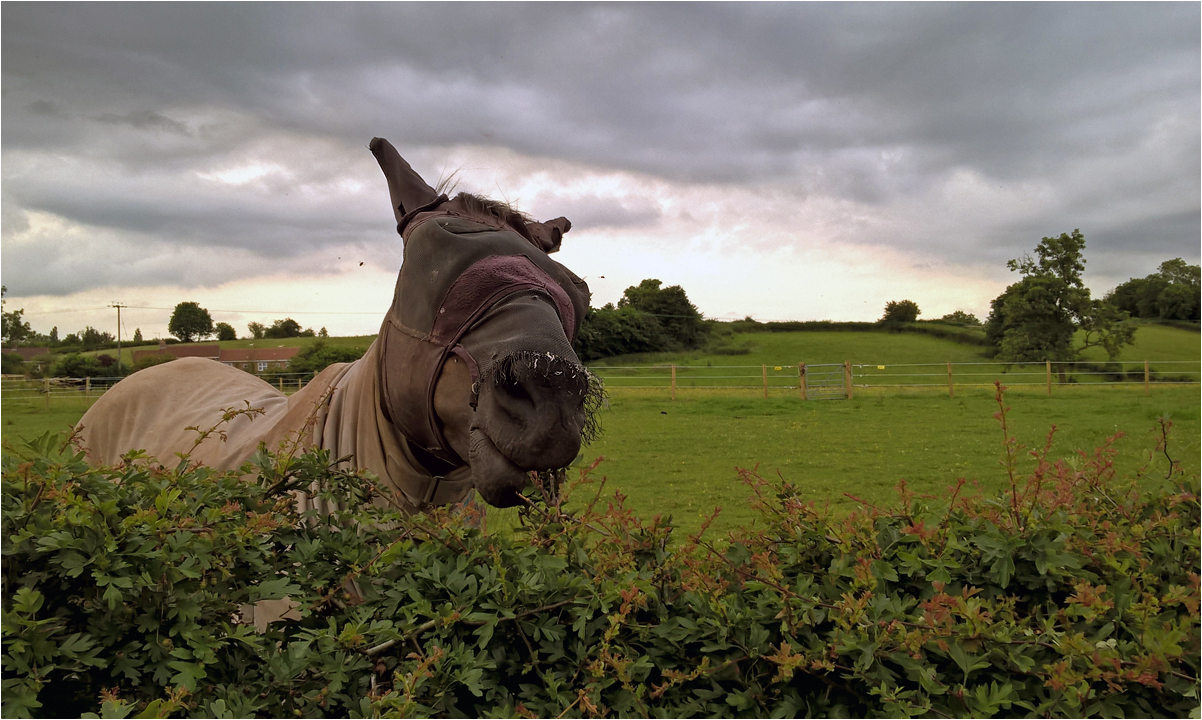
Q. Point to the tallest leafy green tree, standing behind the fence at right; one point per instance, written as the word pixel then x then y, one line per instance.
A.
pixel 1036 319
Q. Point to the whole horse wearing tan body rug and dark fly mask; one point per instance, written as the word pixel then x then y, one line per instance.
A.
pixel 471 385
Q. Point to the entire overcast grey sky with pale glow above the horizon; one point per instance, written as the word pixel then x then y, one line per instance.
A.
pixel 787 162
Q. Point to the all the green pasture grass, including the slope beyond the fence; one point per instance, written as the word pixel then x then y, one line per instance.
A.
pixel 680 459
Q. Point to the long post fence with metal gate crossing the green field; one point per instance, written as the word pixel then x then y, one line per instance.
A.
pixel 811 382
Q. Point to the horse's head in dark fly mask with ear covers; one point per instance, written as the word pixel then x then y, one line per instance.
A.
pixel 478 364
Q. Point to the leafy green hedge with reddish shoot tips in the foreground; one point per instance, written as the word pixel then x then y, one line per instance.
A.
pixel 1074 593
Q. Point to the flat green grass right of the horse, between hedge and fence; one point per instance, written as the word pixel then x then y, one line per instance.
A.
pixel 680 459
